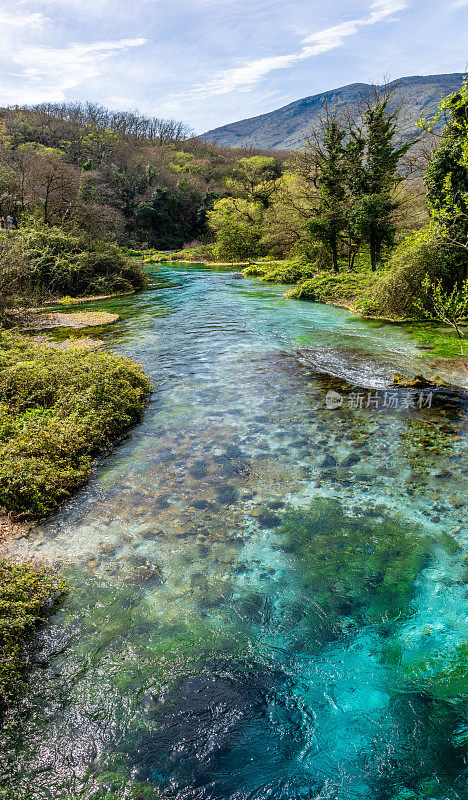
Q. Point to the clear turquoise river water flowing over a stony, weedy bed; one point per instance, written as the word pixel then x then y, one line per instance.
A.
pixel 269 597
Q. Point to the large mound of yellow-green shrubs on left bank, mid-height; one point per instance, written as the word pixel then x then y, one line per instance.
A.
pixel 57 410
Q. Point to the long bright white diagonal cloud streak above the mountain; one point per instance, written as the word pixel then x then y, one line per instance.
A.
pixel 246 75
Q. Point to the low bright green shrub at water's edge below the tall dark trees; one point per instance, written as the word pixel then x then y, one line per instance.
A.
pixel 352 287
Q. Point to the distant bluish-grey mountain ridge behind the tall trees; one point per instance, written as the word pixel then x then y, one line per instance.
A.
pixel 285 128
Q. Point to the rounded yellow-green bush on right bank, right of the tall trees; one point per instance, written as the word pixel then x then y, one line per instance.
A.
pixel 397 292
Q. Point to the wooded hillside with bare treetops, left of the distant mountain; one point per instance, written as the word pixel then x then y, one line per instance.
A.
pixel 143 181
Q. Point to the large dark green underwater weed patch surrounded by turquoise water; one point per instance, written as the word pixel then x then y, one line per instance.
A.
pixel 354 567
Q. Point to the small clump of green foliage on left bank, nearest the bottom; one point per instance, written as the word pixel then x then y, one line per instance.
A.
pixel 27 595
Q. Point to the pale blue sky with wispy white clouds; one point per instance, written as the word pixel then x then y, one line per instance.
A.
pixel 210 62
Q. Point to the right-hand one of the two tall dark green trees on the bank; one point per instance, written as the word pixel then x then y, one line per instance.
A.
pixel 372 169
